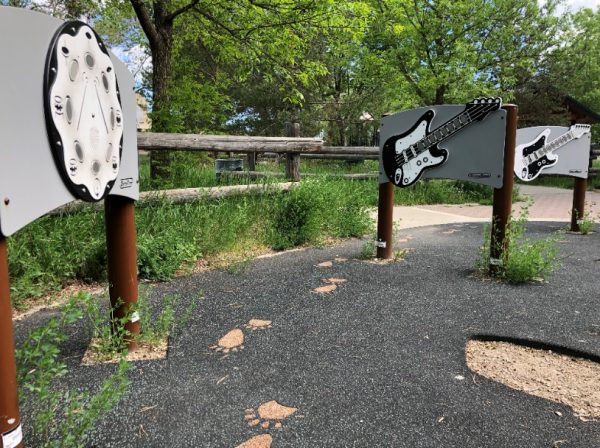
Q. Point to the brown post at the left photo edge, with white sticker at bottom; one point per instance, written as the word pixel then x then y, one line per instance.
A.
pixel 10 421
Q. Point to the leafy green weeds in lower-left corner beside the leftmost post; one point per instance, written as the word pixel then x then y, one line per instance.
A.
pixel 62 418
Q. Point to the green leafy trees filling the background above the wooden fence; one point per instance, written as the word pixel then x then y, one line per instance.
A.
pixel 248 66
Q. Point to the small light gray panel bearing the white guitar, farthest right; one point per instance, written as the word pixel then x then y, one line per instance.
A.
pixel 571 157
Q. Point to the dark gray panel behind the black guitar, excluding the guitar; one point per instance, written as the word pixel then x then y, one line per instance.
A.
pixel 475 153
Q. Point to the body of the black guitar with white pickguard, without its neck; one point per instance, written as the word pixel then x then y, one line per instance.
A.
pixel 407 173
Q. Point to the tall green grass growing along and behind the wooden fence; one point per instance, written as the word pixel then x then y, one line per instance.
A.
pixel 57 249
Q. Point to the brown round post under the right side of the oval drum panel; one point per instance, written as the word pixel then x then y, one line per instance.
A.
pixel 119 213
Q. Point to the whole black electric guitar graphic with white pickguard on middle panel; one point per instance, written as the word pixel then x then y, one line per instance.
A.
pixel 405 156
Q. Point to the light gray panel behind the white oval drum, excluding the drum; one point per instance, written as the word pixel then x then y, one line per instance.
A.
pixel 30 185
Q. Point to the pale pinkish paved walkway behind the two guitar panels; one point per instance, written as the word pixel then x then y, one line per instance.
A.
pixel 549 204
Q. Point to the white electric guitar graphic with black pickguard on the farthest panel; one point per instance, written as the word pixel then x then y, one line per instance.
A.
pixel 533 157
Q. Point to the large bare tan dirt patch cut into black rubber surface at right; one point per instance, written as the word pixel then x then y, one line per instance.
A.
pixel 564 379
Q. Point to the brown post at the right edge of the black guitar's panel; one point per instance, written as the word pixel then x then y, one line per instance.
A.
pixel 502 206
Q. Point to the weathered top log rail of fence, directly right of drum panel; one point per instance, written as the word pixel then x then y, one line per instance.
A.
pixel 151 141
